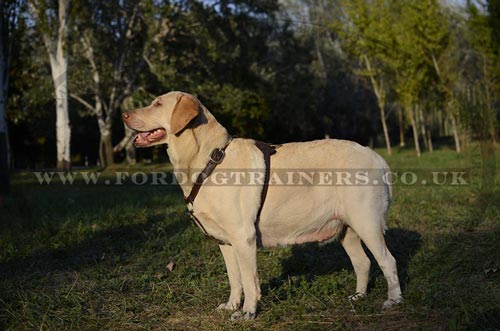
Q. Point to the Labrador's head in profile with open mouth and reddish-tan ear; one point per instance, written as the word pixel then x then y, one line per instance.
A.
pixel 168 114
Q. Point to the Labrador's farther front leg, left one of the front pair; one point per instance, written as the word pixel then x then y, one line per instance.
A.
pixel 234 276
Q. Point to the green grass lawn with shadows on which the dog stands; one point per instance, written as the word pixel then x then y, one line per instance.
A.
pixel 95 257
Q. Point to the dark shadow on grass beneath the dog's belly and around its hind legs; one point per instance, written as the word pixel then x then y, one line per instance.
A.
pixel 311 260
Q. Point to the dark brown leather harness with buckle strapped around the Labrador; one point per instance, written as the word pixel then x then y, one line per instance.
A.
pixel 216 157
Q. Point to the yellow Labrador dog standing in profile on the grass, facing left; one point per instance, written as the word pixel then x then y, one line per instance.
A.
pixel 292 214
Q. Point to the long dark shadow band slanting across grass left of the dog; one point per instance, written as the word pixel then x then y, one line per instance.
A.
pixel 117 242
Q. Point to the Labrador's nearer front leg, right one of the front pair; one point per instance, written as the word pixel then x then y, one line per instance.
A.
pixel 246 255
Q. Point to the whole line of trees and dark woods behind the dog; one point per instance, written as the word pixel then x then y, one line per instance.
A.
pixel 407 72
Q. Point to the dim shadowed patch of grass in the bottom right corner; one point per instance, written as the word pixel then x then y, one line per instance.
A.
pixel 465 273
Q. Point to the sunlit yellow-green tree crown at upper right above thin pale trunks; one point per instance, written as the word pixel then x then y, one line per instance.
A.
pixel 400 39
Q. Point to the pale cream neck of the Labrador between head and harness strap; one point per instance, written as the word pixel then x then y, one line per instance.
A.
pixel 190 151
